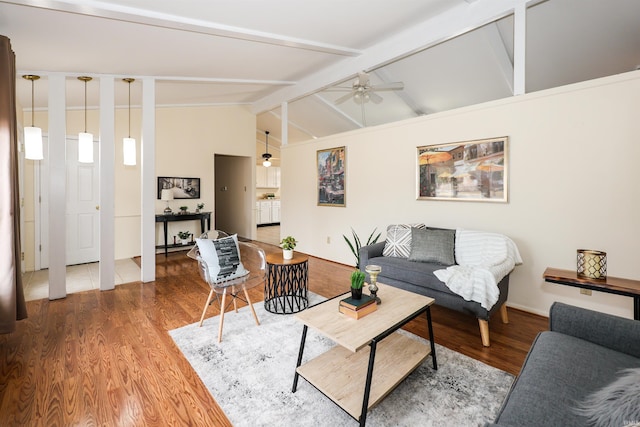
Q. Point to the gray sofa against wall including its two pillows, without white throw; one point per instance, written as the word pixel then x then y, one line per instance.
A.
pixel 405 272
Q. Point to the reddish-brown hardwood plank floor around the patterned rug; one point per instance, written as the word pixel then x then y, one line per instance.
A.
pixel 106 358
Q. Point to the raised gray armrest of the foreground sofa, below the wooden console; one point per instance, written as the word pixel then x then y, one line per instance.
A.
pixel 607 330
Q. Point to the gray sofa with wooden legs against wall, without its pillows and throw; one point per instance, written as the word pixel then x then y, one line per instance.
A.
pixel 418 277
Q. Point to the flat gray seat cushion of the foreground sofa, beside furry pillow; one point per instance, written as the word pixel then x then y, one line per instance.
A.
pixel 559 372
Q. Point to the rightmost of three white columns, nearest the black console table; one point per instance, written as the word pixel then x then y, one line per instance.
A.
pixel 148 180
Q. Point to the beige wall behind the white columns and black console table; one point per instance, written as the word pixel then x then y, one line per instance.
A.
pixel 186 141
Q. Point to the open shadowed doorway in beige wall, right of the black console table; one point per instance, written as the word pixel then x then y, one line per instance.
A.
pixel 234 195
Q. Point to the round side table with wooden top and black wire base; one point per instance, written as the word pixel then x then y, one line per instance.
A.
pixel 285 290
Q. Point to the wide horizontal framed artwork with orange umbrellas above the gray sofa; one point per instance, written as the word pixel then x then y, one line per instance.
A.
pixel 467 171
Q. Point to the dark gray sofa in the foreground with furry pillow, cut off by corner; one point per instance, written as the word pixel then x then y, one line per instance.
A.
pixel 583 354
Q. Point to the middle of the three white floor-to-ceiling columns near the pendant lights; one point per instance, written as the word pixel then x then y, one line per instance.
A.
pixel 107 182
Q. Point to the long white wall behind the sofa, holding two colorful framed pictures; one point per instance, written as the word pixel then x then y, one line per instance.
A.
pixel 573 159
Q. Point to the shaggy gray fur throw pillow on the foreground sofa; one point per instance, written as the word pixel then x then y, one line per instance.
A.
pixel 616 404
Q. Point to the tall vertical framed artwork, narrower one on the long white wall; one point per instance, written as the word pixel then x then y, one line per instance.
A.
pixel 331 181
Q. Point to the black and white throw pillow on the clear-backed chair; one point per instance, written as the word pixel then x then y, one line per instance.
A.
pixel 222 258
